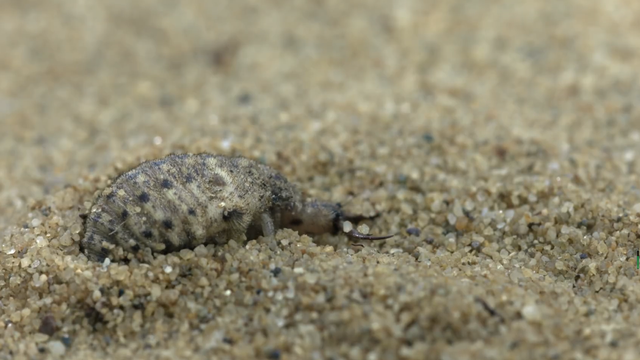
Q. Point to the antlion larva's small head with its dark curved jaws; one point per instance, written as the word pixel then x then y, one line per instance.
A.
pixel 316 217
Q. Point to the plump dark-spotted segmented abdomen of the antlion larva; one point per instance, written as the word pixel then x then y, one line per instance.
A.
pixel 177 202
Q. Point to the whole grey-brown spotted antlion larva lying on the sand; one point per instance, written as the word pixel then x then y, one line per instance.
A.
pixel 182 201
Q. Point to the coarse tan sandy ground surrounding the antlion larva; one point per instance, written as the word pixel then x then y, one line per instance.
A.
pixel 507 133
